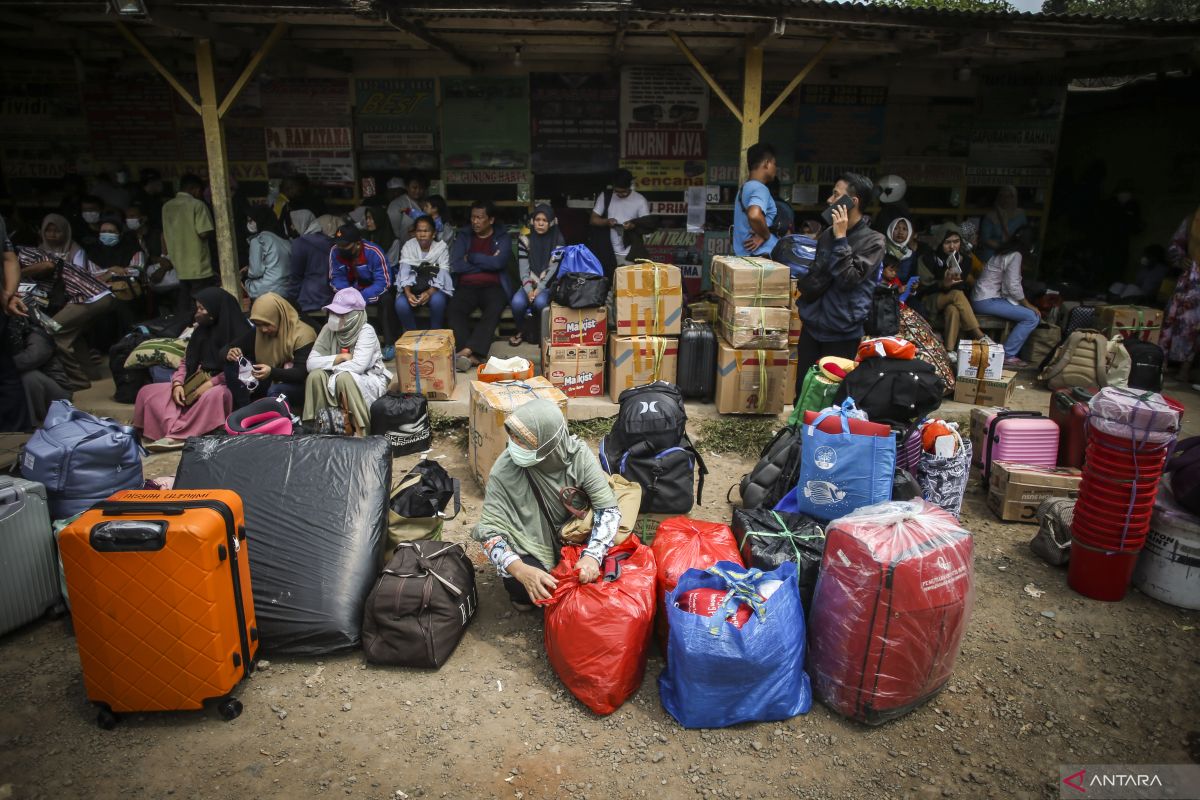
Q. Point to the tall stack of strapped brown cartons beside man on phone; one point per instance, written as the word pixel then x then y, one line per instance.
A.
pixel 757 324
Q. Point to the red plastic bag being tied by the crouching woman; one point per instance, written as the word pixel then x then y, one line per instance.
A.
pixel 597 634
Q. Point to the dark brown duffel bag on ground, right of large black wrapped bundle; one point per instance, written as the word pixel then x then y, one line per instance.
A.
pixel 421 605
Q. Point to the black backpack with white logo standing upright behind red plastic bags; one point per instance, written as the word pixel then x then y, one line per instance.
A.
pixel 650 447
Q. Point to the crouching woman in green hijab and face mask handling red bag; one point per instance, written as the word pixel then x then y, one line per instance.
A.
pixel 523 512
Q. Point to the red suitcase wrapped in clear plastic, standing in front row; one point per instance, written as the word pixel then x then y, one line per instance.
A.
pixel 891 607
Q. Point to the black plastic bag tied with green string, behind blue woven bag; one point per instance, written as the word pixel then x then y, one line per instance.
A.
pixel 769 538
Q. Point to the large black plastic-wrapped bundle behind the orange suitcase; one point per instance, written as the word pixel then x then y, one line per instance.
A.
pixel 316 524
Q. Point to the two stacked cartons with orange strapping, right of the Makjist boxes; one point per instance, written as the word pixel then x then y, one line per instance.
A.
pixel 650 320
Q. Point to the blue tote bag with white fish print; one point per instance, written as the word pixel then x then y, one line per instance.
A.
pixel 841 472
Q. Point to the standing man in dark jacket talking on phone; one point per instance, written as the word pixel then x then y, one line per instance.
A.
pixel 836 297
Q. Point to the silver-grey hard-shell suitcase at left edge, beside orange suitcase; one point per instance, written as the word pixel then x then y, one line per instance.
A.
pixel 29 567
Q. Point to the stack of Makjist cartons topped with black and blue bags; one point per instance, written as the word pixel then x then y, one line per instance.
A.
pixel 575 326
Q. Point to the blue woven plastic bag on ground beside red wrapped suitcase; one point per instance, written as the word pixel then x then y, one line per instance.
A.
pixel 718 675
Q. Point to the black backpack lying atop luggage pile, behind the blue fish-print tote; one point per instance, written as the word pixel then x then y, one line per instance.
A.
pixel 893 392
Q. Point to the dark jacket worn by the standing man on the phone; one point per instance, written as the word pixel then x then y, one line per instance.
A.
pixel 839 314
